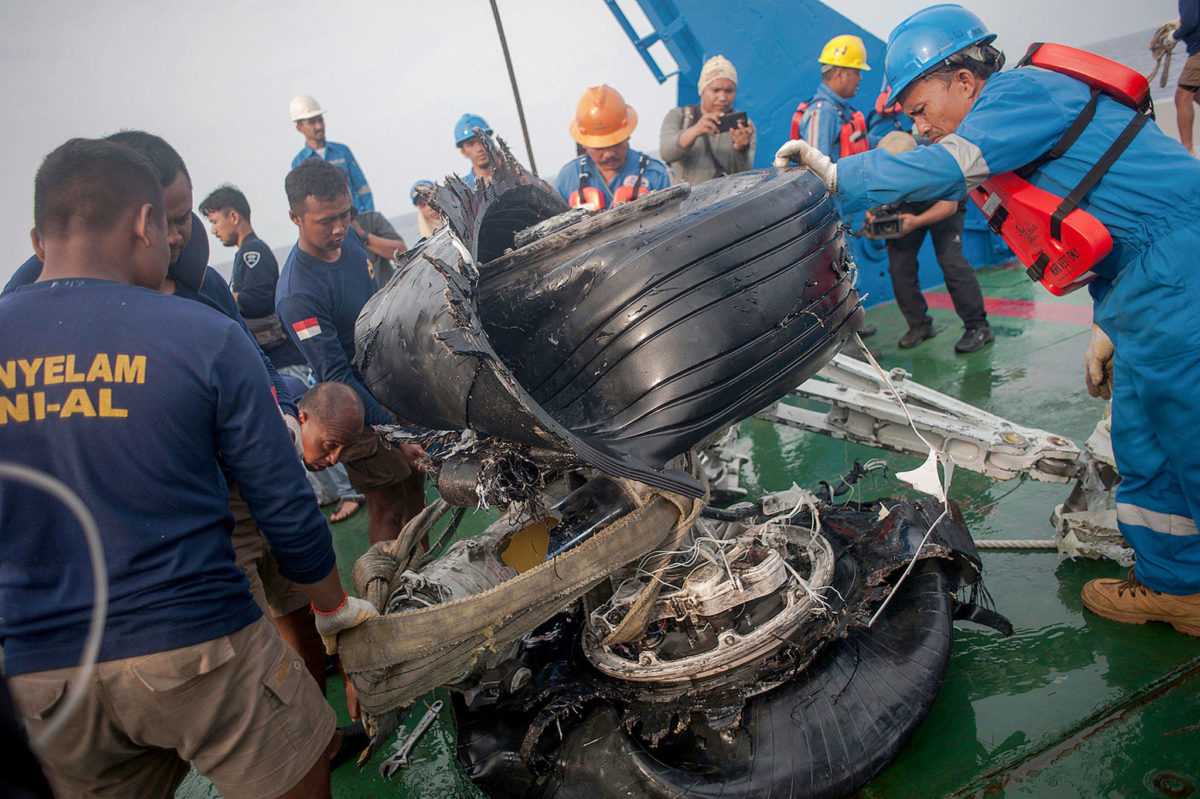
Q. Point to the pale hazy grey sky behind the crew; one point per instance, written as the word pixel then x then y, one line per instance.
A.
pixel 214 80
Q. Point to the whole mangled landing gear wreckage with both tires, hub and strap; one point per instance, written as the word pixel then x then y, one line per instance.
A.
pixel 615 633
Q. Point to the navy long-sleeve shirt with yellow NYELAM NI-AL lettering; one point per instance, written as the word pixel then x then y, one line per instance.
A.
pixel 142 404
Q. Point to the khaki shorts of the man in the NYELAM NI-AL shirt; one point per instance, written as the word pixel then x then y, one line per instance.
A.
pixel 243 708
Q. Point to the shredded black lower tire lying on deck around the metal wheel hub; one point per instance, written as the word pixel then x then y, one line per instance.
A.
pixel 824 734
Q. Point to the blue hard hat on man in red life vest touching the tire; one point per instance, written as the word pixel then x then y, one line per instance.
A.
pixel 927 39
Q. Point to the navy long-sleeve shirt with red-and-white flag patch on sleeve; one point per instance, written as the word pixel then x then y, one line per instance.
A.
pixel 319 304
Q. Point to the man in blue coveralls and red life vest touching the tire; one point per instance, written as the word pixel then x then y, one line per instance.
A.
pixel 1090 152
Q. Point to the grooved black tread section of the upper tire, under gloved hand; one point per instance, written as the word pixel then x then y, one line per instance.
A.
pixel 653 329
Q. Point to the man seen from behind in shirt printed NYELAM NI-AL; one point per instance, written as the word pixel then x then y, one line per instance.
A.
pixel 142 404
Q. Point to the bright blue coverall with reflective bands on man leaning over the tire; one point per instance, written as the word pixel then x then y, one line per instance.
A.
pixel 1147 298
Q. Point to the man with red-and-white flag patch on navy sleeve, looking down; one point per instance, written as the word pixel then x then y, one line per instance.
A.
pixel 321 293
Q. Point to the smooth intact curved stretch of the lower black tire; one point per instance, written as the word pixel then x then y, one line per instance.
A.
pixel 824 736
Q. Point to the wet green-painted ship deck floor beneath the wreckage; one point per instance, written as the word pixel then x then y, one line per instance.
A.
pixel 1072 705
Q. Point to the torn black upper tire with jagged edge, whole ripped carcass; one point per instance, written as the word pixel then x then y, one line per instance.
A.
pixel 622 339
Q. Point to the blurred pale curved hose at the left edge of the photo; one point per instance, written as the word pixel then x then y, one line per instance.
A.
pixel 79 686
